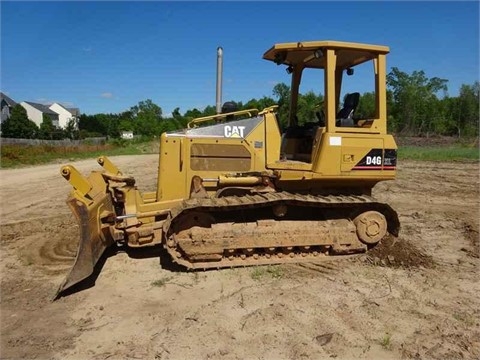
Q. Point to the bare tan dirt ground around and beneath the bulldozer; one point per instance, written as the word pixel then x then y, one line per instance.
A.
pixel 414 297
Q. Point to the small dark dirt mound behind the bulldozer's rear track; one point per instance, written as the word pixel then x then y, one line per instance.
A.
pixel 395 252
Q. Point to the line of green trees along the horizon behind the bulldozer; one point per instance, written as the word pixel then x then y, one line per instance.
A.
pixel 416 106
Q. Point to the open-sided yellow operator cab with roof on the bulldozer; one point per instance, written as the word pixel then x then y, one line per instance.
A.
pixel 343 110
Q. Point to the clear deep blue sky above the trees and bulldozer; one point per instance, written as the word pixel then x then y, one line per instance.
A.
pixel 105 57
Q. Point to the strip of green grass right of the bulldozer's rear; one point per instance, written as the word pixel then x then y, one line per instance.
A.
pixel 438 153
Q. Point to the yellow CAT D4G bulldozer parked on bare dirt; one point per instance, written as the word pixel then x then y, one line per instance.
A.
pixel 235 190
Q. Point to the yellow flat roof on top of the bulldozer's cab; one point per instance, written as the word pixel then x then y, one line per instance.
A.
pixel 348 54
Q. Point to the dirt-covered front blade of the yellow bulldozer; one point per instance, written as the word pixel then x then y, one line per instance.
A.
pixel 94 238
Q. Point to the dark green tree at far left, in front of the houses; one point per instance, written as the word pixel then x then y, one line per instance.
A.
pixel 18 125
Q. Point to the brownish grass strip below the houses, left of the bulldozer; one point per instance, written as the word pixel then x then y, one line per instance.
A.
pixel 20 155
